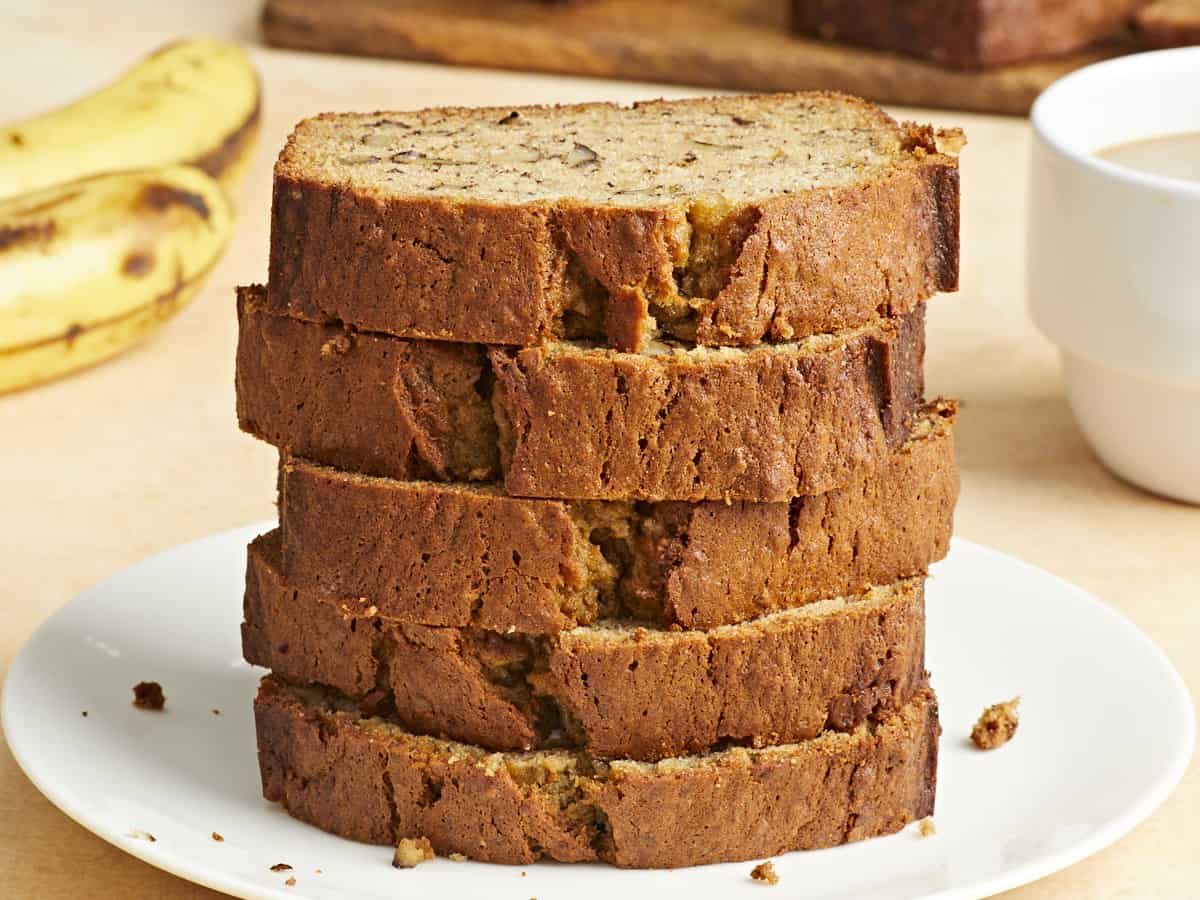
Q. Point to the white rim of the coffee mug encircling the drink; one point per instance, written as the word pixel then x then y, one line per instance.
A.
pixel 1051 131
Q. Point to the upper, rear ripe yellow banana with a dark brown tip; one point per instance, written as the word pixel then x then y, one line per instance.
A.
pixel 194 103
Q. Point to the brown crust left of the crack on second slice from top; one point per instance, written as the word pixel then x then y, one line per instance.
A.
pixel 363 403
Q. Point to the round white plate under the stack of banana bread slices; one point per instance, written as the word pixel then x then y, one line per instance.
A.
pixel 1065 788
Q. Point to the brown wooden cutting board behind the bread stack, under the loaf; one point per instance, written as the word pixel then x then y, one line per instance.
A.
pixel 742 45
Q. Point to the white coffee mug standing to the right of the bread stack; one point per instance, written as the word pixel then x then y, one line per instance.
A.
pixel 1114 265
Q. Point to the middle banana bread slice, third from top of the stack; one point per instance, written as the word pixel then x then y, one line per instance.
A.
pixel 469 556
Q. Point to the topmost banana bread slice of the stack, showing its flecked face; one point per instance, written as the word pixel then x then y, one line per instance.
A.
pixel 722 221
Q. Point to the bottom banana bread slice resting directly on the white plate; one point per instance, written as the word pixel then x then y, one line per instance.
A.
pixel 369 781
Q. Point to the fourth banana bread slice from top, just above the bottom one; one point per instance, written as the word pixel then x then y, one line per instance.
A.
pixel 616 689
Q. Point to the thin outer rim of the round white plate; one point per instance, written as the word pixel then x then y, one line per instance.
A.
pixel 183 866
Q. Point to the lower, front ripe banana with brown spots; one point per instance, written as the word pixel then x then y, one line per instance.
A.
pixel 92 267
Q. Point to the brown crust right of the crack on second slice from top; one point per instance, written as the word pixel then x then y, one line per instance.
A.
pixel 763 425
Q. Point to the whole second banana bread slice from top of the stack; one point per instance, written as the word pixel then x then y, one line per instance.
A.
pixel 571 421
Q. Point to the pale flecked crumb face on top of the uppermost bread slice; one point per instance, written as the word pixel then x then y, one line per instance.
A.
pixel 740 149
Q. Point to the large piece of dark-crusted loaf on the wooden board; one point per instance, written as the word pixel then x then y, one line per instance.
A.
pixel 967 34
